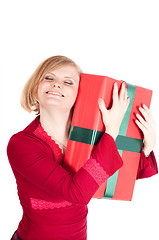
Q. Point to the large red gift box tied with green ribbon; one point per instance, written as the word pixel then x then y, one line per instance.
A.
pixel 87 128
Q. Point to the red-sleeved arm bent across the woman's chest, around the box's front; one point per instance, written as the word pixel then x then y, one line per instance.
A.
pixel 34 161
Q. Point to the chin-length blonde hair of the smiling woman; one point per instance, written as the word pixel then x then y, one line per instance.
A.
pixel 28 97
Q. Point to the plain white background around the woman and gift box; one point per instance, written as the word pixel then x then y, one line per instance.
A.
pixel 118 39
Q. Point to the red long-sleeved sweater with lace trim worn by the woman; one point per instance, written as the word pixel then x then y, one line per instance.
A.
pixel 55 202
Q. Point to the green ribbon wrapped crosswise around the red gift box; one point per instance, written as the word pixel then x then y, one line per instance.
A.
pixel 92 137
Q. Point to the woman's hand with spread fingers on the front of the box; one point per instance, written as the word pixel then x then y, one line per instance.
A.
pixel 113 117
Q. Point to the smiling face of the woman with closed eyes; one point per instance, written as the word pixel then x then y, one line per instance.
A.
pixel 59 88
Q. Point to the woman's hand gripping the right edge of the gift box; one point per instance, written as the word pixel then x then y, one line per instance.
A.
pixel 147 125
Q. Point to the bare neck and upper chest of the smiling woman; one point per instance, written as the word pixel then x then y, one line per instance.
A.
pixel 56 123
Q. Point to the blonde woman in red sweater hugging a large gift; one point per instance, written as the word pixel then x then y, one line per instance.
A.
pixel 55 202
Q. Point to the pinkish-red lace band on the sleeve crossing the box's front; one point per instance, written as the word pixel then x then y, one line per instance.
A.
pixel 96 171
